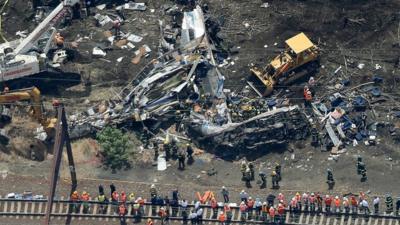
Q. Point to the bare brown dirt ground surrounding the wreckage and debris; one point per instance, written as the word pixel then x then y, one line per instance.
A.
pixel 348 33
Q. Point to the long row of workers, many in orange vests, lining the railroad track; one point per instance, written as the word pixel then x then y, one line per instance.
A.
pixel 251 209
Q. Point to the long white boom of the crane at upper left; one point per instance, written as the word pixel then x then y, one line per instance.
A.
pixel 58 13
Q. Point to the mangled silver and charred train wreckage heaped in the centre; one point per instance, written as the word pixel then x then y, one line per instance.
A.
pixel 185 84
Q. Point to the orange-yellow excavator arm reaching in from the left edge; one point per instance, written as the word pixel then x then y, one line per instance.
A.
pixel 31 94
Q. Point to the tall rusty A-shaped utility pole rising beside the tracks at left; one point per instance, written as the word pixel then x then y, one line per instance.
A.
pixel 61 138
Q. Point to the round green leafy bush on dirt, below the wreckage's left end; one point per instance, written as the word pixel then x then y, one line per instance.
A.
pixel 115 147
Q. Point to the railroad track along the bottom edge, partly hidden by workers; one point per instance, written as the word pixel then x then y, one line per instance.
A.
pixel 35 209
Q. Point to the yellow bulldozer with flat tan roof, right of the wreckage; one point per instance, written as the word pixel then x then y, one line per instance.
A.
pixel 299 59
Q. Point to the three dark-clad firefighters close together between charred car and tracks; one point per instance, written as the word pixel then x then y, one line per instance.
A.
pixel 248 172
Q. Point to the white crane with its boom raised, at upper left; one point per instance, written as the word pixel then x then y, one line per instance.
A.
pixel 28 56
